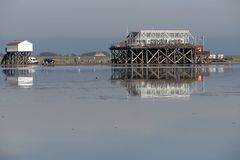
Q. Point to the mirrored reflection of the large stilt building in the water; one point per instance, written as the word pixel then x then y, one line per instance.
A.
pixel 159 81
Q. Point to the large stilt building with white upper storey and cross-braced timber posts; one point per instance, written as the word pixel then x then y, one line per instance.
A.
pixel 156 47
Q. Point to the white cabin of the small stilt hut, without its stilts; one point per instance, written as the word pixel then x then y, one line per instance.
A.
pixel 19 46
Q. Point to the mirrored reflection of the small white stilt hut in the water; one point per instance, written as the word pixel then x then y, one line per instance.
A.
pixel 21 77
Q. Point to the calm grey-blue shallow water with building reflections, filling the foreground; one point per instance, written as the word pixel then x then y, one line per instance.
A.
pixel 99 112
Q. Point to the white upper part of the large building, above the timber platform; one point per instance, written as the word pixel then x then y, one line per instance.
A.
pixel 154 37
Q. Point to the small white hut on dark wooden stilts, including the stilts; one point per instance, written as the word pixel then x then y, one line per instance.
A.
pixel 17 52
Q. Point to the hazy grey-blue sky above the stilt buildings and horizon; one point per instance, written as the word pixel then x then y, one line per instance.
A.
pixel 76 26
